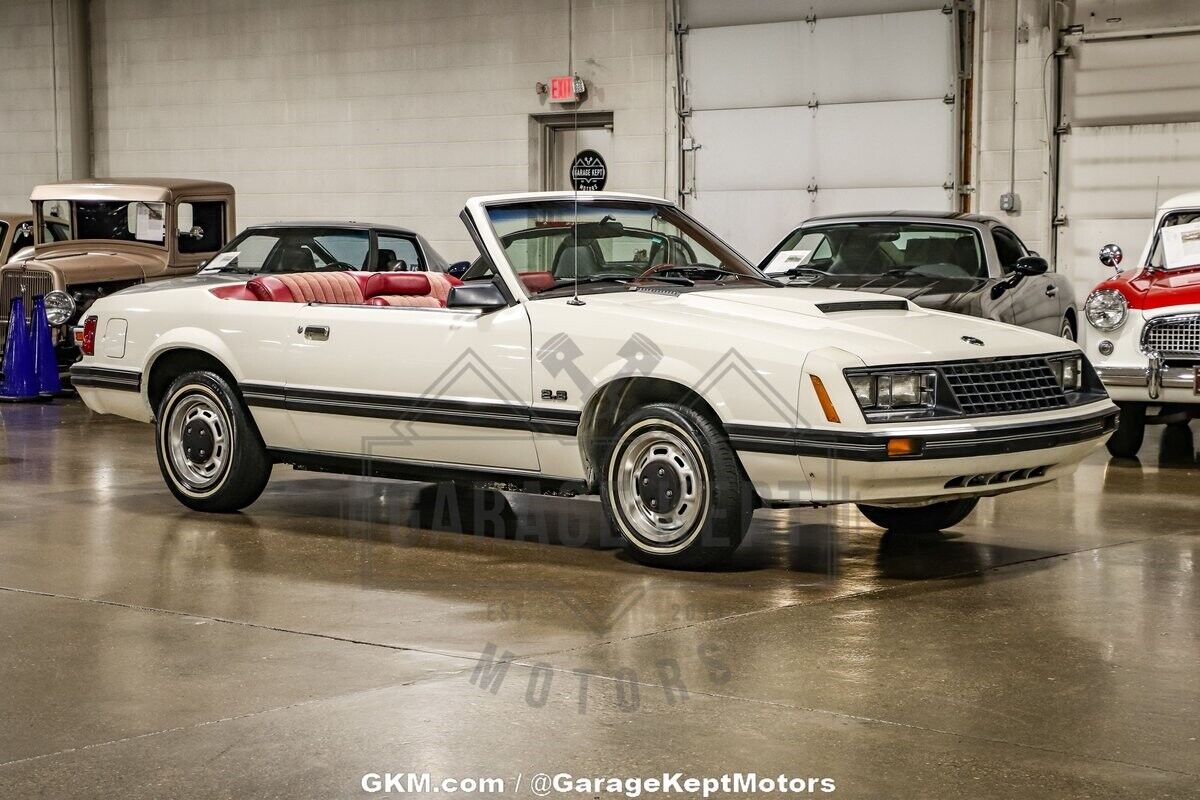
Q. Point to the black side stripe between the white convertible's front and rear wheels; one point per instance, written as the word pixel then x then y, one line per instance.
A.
pixel 509 417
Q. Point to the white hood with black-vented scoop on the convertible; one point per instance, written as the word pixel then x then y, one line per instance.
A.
pixel 865 324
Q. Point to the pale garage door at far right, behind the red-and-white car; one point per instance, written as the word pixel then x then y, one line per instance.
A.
pixel 1133 106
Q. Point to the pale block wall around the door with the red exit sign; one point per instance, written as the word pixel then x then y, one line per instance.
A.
pixel 393 111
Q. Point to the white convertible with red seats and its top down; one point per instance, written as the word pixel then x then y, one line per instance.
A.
pixel 607 344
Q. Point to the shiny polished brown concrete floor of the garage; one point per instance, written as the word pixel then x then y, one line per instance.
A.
pixel 1047 648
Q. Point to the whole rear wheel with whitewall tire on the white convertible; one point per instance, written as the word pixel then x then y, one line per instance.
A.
pixel 201 410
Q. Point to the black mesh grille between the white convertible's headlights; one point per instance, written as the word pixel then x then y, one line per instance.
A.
pixel 1005 386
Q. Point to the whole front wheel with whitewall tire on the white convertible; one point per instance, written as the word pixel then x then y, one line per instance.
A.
pixel 675 455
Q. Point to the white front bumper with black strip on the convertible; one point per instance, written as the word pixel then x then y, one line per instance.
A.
pixel 953 460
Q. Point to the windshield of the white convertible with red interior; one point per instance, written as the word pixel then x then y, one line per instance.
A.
pixel 608 244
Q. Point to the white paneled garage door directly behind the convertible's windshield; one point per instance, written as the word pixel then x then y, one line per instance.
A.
pixel 799 118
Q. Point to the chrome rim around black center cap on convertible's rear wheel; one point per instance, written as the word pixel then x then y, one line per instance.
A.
pixel 197 474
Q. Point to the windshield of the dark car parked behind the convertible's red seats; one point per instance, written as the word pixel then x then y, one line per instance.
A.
pixel 295 250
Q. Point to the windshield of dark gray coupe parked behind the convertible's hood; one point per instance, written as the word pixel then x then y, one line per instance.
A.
pixel 872 249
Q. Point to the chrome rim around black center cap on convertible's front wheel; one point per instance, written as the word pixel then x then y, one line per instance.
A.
pixel 659 444
